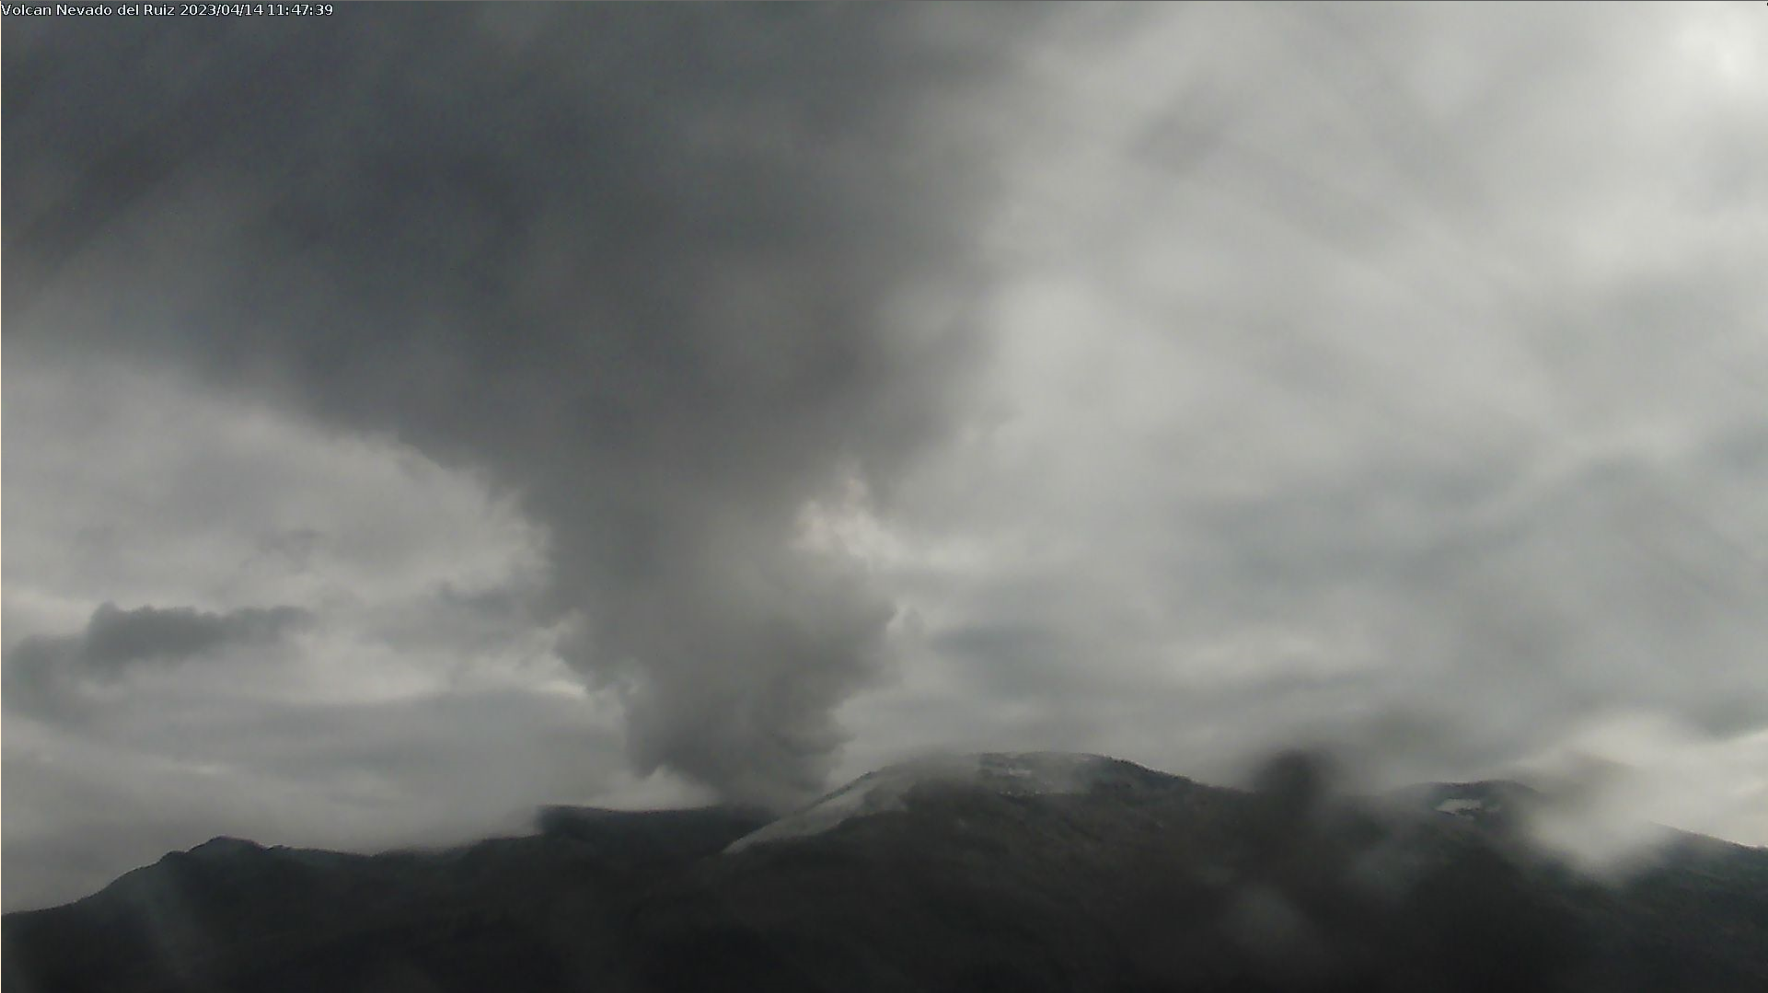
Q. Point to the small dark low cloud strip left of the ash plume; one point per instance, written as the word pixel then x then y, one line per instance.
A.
pixel 45 674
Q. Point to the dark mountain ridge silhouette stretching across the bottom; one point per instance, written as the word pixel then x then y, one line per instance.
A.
pixel 973 874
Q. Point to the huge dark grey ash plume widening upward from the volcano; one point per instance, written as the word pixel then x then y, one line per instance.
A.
pixel 664 273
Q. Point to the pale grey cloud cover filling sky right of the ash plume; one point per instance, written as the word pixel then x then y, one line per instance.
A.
pixel 1366 379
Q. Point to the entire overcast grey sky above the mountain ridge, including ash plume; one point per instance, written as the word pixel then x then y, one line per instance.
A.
pixel 429 414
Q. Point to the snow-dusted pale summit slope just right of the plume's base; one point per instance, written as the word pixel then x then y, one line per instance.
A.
pixel 887 789
